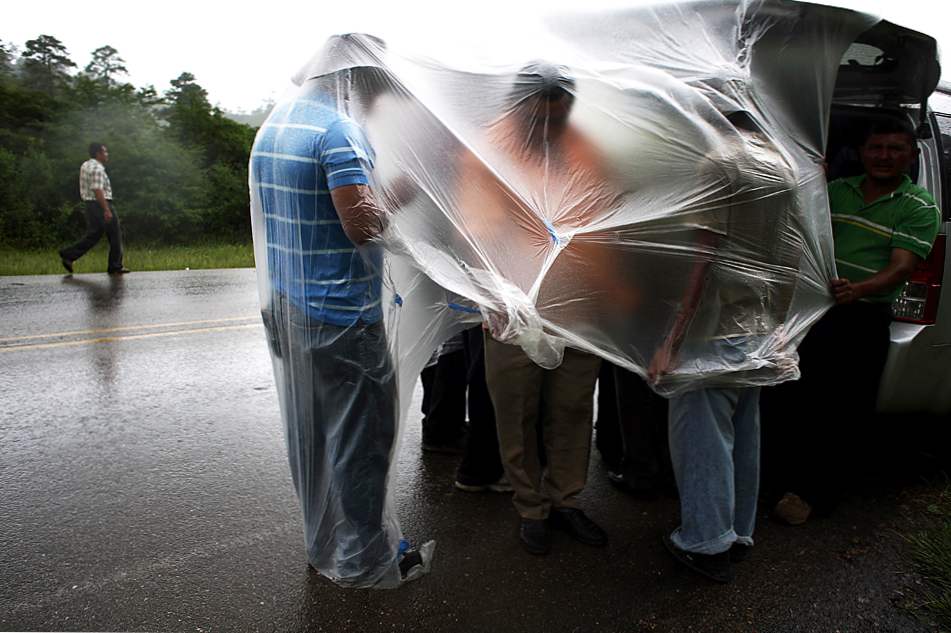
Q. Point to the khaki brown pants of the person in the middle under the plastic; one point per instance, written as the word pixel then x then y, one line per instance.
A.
pixel 560 403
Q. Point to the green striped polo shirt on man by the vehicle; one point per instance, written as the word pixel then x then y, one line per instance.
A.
pixel 865 234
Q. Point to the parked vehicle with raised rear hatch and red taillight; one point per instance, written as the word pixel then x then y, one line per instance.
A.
pixel 892 71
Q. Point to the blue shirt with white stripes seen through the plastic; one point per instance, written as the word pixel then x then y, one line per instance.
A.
pixel 304 150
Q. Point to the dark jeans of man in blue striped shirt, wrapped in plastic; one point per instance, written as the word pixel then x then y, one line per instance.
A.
pixel 337 391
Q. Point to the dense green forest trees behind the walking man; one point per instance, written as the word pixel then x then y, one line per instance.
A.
pixel 179 166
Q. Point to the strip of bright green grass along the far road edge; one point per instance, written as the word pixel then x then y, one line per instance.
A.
pixel 137 258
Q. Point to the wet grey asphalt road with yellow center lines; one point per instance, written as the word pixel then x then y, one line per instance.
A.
pixel 143 486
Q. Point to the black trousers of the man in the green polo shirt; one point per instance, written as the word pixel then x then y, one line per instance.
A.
pixel 815 427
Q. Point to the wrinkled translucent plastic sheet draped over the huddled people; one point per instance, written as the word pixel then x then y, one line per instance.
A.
pixel 685 190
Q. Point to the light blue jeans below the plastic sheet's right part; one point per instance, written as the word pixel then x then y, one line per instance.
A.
pixel 715 450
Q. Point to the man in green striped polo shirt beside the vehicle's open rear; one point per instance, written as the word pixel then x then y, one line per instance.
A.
pixel 883 227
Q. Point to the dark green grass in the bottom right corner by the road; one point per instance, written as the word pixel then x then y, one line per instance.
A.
pixel 931 553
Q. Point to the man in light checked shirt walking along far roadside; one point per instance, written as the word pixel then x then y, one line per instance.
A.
pixel 96 192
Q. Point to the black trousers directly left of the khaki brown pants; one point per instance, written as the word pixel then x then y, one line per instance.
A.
pixel 482 461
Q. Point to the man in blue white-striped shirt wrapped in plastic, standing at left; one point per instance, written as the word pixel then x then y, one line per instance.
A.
pixel 315 220
